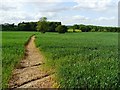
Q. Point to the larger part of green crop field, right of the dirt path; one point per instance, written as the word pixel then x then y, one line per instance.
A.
pixel 82 60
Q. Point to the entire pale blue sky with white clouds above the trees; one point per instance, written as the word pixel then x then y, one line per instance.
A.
pixel 69 12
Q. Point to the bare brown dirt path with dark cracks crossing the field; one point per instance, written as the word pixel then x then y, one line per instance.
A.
pixel 29 73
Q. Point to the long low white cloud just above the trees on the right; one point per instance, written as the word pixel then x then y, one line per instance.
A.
pixel 77 19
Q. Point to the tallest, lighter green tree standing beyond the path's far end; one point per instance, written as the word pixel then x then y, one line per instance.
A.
pixel 42 25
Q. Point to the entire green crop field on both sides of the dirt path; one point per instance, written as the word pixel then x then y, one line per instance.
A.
pixel 81 60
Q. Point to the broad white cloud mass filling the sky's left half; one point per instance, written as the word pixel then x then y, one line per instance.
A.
pixel 13 11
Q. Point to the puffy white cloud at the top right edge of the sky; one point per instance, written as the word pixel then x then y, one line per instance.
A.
pixel 98 5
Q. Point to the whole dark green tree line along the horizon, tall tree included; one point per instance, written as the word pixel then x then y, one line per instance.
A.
pixel 46 26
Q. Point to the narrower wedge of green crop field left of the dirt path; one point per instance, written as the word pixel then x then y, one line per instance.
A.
pixel 12 52
